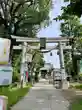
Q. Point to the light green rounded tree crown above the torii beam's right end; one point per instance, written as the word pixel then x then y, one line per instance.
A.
pixel 70 27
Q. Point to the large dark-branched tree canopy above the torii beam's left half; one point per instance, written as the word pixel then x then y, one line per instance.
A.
pixel 22 17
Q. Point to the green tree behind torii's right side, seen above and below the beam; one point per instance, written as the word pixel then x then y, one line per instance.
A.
pixel 71 27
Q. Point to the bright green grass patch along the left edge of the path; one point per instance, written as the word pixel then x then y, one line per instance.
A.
pixel 14 95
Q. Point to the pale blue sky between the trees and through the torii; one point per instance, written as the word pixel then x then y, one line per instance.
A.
pixel 53 30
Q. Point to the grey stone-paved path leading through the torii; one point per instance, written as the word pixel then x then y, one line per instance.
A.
pixel 42 96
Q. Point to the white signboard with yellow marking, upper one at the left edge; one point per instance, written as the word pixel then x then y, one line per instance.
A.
pixel 4 50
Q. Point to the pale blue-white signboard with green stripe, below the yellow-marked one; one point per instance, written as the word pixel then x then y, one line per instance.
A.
pixel 5 75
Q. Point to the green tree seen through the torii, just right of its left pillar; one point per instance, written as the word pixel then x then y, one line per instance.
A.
pixel 37 63
